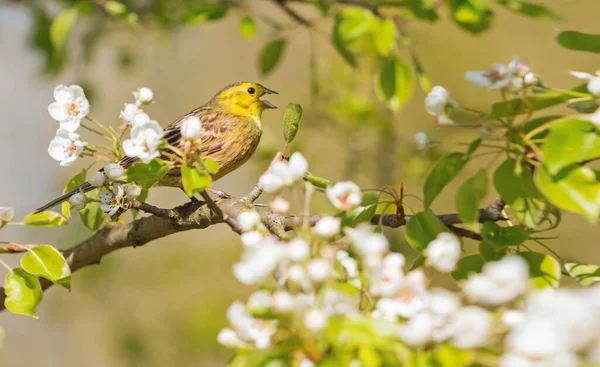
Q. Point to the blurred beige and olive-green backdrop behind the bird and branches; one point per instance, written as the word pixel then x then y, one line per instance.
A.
pixel 164 303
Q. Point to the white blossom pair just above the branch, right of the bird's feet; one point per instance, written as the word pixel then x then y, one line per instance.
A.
pixel 282 174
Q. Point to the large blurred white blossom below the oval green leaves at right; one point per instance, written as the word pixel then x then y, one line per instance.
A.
pixel 499 281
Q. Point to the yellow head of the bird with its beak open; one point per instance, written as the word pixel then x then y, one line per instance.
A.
pixel 242 99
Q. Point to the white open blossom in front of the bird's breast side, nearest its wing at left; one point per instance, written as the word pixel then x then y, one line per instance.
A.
pixel 145 138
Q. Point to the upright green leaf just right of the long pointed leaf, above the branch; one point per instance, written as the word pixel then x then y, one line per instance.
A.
pixel 469 197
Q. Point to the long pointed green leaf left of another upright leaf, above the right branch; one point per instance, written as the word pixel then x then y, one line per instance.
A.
pixel 444 171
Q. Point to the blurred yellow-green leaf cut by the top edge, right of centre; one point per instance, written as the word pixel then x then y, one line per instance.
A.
pixel 473 16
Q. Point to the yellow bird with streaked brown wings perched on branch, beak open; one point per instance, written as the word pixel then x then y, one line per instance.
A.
pixel 231 130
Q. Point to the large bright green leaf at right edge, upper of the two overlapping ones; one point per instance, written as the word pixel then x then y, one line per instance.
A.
pixel 570 141
